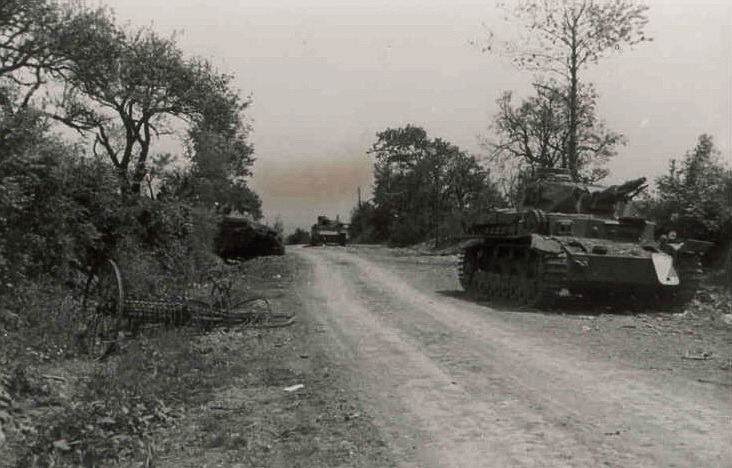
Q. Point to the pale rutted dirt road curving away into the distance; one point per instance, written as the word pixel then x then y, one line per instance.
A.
pixel 456 383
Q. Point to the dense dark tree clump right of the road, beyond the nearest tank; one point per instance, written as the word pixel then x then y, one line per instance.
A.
pixel 419 182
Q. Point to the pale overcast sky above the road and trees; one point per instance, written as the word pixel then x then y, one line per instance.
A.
pixel 326 75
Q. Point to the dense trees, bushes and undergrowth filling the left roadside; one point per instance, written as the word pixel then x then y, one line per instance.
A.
pixel 64 205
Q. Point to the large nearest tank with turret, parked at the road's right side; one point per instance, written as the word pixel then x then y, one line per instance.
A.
pixel 569 239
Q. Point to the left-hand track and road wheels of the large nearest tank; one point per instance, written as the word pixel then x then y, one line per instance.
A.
pixel 534 282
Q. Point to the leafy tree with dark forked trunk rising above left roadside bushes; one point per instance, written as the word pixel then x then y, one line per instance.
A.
pixel 128 87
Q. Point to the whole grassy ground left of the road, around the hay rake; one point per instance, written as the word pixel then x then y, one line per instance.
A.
pixel 182 397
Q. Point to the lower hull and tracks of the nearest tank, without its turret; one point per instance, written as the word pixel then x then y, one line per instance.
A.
pixel 536 270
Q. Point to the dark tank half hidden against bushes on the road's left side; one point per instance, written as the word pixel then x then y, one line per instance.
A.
pixel 241 238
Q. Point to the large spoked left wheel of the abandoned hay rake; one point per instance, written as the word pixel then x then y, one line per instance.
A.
pixel 102 305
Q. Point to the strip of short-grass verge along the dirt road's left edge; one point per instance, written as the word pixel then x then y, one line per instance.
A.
pixel 292 407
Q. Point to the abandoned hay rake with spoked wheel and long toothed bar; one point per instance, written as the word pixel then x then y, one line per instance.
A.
pixel 111 315
